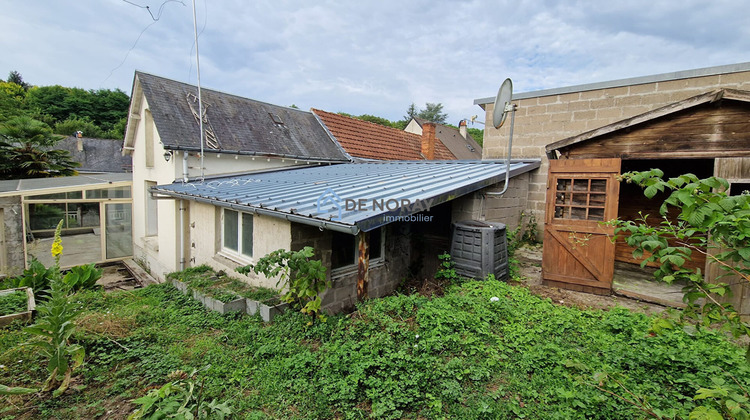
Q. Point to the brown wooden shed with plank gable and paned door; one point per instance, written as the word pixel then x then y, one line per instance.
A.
pixel 706 135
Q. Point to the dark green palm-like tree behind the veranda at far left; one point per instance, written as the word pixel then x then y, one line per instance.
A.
pixel 26 146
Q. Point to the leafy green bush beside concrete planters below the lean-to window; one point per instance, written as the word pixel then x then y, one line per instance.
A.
pixel 302 276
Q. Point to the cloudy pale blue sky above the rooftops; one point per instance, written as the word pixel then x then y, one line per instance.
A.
pixel 367 57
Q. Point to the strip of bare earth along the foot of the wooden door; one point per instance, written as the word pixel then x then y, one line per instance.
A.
pixel 530 267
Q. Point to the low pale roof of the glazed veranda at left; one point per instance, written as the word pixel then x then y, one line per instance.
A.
pixel 22 186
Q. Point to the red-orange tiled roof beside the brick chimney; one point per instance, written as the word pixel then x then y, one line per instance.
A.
pixel 367 140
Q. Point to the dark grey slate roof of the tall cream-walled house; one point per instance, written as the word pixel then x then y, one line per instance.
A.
pixel 234 124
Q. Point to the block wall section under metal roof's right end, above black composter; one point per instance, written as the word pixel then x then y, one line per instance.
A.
pixel 505 209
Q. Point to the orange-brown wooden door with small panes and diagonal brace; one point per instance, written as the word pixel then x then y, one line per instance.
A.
pixel 578 249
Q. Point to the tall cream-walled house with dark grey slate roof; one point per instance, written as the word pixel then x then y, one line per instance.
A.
pixel 241 135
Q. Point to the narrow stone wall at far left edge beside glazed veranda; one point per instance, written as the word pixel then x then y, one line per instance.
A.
pixel 12 261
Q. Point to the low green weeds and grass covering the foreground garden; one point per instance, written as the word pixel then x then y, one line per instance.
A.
pixel 457 356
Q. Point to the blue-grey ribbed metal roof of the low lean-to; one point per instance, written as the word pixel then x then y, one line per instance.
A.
pixel 311 195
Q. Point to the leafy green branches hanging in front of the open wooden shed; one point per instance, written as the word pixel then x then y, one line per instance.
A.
pixel 709 222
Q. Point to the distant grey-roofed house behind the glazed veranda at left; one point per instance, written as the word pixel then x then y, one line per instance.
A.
pixel 96 155
